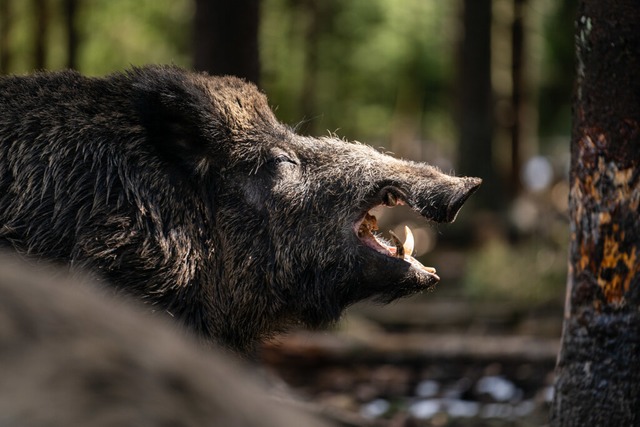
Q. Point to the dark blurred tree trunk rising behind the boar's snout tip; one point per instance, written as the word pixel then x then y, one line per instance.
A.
pixel 475 100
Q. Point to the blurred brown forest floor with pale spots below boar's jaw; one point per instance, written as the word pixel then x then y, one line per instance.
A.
pixel 433 360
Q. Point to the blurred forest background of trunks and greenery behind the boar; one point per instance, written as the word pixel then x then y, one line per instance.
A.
pixel 476 87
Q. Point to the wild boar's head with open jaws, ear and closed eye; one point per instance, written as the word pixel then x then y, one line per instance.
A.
pixel 293 239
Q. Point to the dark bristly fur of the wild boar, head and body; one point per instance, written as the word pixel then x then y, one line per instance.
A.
pixel 184 190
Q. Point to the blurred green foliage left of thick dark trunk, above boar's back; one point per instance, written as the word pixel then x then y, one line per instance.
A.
pixel 114 34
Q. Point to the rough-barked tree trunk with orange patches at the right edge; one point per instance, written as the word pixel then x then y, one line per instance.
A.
pixel 598 371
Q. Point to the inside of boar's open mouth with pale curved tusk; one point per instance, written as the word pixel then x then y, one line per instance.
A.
pixel 366 229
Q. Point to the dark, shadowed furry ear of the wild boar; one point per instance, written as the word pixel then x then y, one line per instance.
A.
pixel 171 110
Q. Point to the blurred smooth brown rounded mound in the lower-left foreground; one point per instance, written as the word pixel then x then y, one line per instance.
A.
pixel 70 357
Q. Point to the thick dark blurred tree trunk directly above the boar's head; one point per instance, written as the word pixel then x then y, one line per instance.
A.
pixel 226 38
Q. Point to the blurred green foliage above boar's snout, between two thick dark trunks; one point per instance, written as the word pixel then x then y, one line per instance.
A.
pixel 374 59
